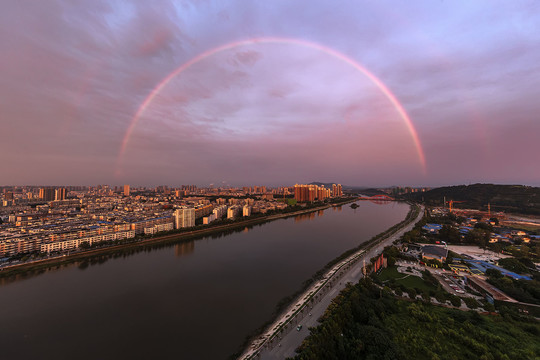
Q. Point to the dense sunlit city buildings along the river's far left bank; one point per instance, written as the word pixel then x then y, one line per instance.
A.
pixel 54 219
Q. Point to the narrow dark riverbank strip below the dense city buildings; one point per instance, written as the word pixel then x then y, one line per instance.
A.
pixel 36 265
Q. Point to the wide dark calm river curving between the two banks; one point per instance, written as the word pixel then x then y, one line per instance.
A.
pixel 194 300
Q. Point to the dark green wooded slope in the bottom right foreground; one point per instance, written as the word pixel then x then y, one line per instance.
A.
pixel 364 322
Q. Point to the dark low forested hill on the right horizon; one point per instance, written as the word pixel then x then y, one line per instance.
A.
pixel 508 198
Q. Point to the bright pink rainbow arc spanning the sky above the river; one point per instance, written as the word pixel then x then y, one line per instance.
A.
pixel 263 40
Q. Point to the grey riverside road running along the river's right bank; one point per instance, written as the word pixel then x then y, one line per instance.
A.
pixel 284 346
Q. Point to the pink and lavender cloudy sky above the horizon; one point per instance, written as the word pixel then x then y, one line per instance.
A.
pixel 274 92
